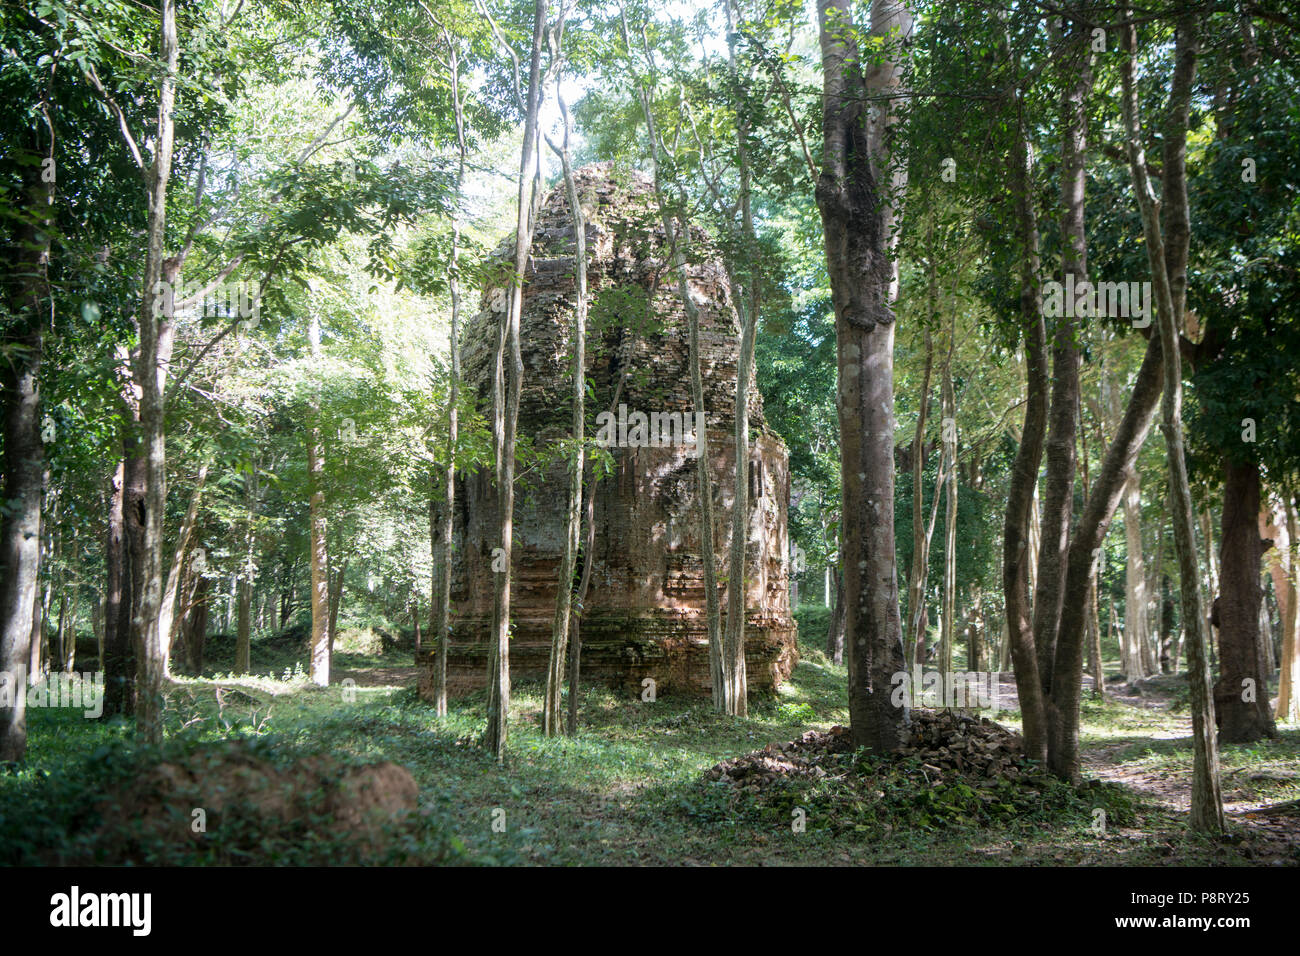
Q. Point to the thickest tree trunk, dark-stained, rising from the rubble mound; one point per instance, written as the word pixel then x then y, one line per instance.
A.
pixel 857 215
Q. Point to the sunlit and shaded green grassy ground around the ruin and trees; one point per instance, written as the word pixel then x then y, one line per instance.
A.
pixel 629 789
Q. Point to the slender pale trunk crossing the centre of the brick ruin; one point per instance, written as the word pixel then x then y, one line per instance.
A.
pixel 574 509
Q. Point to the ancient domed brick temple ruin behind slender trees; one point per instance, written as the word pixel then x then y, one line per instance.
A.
pixel 645 609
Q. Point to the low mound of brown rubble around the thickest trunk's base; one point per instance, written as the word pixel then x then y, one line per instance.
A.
pixel 947 743
